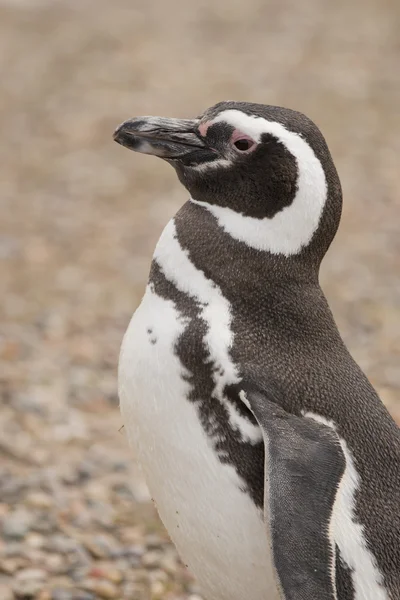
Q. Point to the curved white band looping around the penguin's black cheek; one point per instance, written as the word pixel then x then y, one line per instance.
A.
pixel 293 227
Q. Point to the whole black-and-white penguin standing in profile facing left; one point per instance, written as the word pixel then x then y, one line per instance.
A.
pixel 273 463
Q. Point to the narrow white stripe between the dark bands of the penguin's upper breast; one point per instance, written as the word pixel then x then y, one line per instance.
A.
pixel 176 265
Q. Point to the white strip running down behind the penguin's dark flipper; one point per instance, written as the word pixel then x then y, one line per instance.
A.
pixel 347 534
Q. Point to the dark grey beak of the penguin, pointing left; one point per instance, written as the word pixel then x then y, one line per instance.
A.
pixel 171 139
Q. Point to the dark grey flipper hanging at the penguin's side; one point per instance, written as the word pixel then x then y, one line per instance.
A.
pixel 304 463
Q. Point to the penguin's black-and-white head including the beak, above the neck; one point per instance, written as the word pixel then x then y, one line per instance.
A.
pixel 265 172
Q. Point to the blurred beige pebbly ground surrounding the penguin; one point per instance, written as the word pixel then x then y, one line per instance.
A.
pixel 79 220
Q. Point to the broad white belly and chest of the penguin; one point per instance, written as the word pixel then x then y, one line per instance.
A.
pixel 216 527
